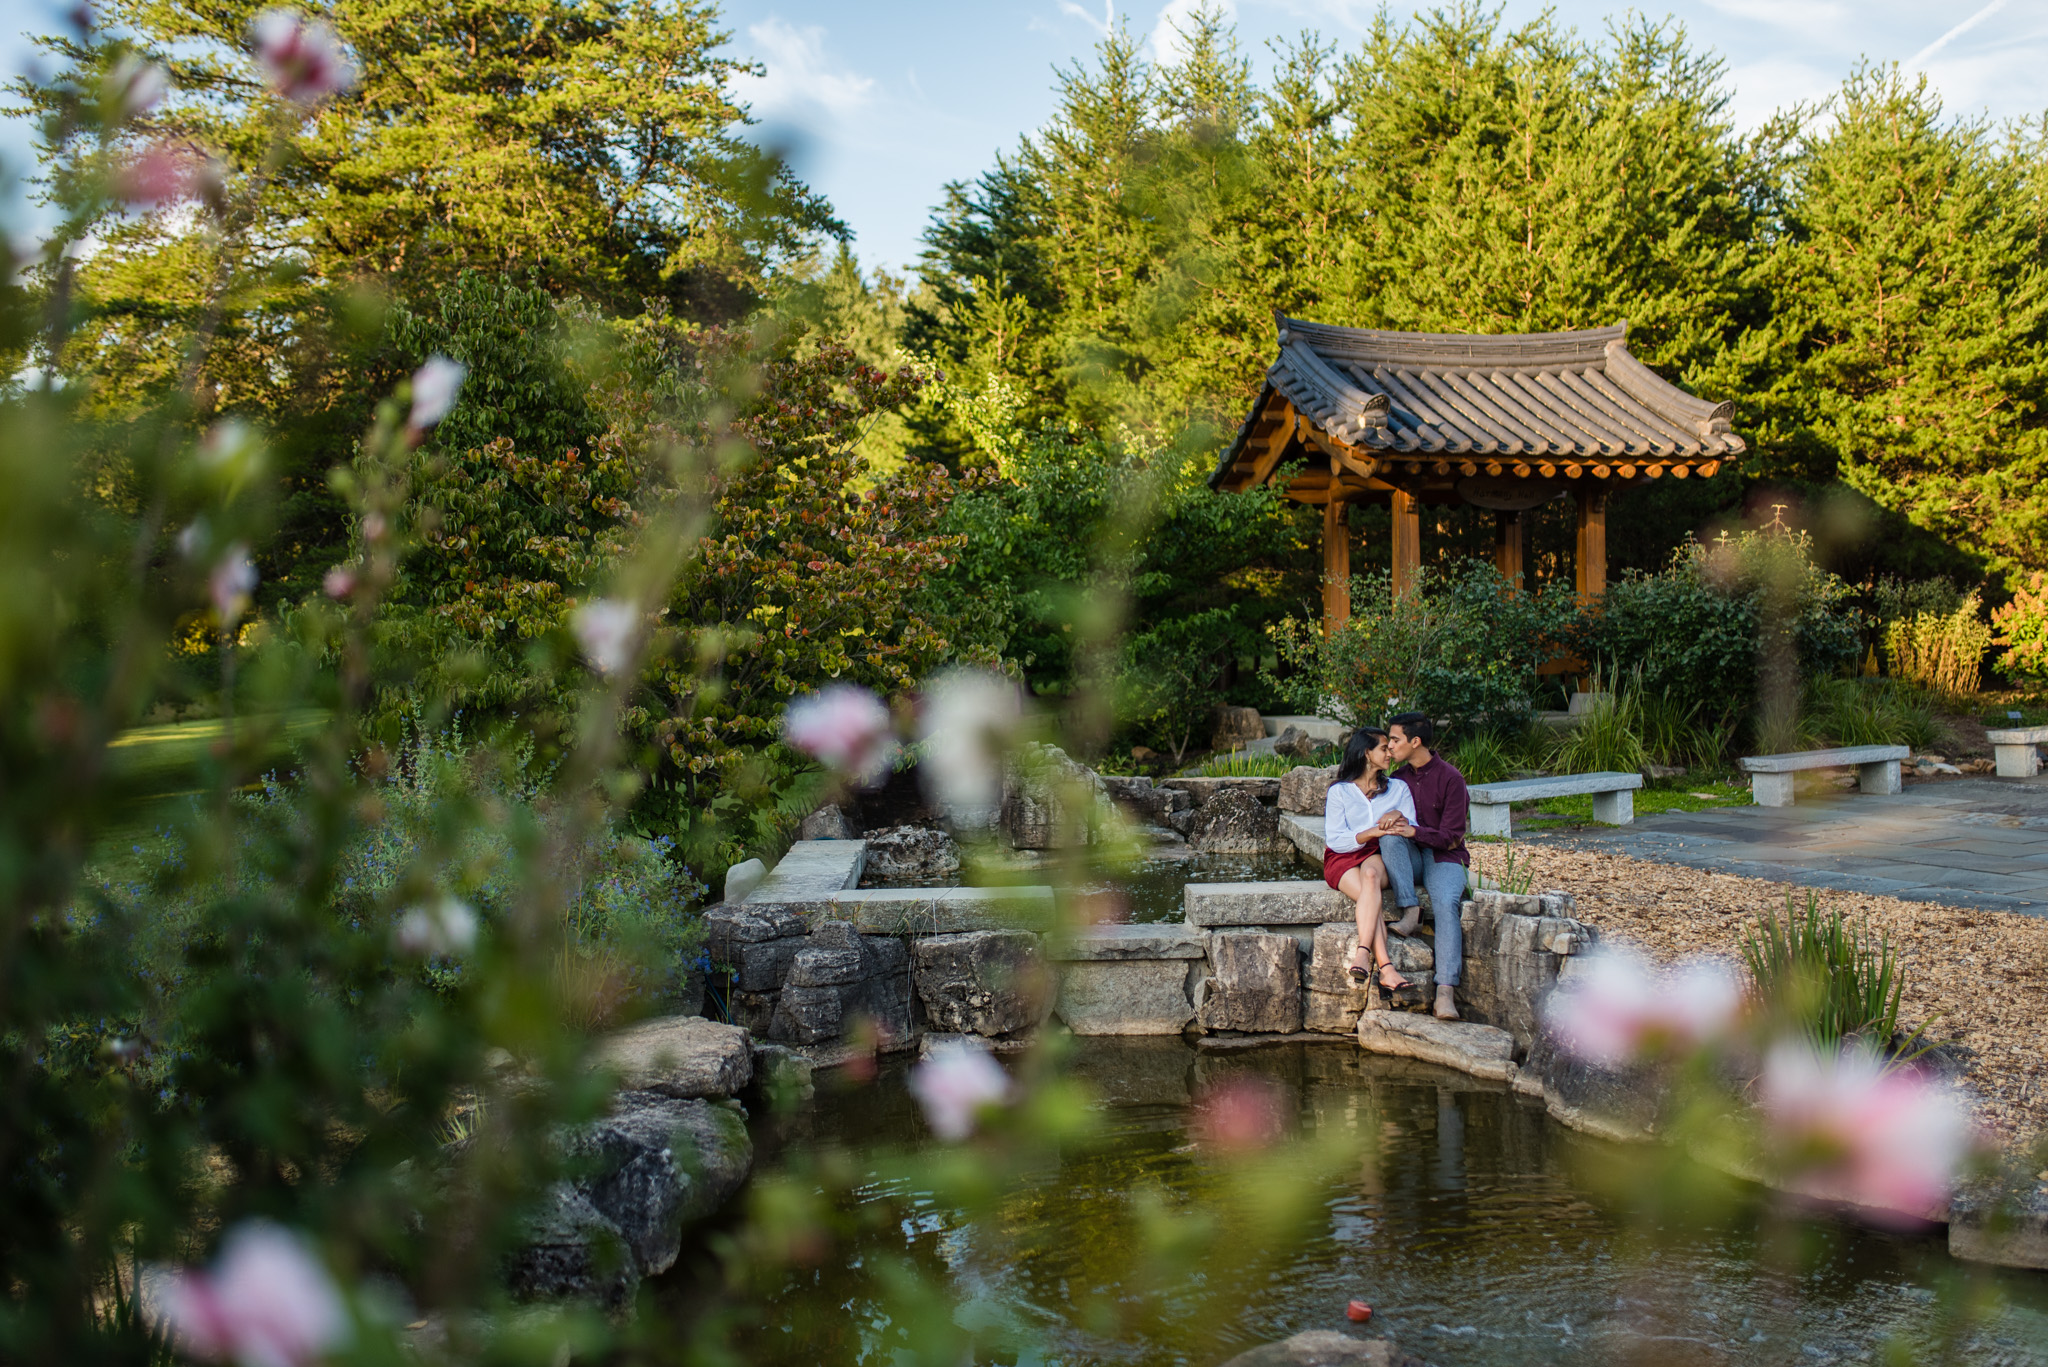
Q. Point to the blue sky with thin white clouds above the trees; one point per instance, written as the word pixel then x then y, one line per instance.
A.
pixel 882 106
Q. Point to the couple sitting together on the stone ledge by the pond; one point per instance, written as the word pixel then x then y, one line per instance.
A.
pixel 1400 831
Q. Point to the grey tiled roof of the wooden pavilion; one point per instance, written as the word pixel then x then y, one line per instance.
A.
pixel 1541 395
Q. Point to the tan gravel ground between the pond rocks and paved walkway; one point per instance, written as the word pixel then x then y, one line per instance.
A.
pixel 1979 977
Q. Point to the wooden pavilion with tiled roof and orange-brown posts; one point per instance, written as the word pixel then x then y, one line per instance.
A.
pixel 1506 423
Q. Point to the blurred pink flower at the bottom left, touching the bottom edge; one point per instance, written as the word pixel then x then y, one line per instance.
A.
pixel 265 1304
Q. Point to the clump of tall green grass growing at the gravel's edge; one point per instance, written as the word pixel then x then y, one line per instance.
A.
pixel 1830 981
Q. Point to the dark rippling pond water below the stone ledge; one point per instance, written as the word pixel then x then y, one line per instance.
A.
pixel 1467 1218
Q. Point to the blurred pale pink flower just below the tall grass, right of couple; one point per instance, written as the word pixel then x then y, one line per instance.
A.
pixel 1621 1011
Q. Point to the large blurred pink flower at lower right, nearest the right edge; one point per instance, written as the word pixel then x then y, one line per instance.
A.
pixel 1846 1130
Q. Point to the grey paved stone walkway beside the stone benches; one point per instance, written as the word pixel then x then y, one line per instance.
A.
pixel 1965 841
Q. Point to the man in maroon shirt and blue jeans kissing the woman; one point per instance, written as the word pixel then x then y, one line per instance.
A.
pixel 1431 850
